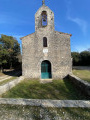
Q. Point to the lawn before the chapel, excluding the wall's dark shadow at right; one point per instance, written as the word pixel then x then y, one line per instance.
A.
pixel 34 90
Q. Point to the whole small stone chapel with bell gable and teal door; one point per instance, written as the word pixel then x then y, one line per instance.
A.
pixel 46 53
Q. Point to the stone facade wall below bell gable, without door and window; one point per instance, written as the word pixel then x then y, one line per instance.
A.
pixel 58 54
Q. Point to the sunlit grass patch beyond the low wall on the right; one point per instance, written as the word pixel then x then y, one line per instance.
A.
pixel 83 74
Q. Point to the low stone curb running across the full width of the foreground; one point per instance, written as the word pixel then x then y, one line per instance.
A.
pixel 46 103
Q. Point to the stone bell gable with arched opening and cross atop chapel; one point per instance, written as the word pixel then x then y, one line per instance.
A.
pixel 44 18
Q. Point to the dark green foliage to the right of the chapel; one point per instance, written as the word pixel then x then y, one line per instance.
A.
pixel 81 59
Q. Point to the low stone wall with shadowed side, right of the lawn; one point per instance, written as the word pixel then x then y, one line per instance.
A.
pixel 81 84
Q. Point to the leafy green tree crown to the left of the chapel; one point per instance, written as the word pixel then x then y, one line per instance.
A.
pixel 9 50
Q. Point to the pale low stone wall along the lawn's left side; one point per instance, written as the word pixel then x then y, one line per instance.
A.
pixel 11 84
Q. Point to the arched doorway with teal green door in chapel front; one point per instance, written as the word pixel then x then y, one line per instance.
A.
pixel 46 70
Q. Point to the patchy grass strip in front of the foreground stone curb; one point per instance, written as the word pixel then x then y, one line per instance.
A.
pixel 40 113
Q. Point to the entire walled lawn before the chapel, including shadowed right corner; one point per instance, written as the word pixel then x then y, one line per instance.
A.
pixel 58 89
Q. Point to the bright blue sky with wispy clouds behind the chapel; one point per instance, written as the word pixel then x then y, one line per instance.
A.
pixel 71 16
